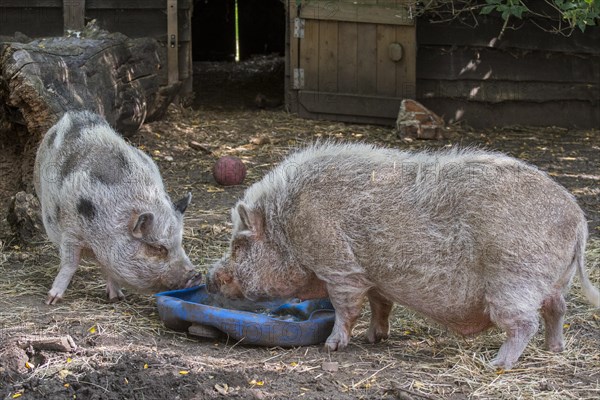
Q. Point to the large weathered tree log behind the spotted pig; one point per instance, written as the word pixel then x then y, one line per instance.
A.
pixel 120 78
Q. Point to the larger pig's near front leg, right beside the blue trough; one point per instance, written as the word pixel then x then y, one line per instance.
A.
pixel 347 302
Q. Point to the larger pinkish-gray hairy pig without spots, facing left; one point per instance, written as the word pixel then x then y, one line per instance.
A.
pixel 466 237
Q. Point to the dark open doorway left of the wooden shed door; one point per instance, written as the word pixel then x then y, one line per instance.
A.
pixel 257 78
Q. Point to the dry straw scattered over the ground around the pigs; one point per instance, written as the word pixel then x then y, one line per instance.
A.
pixel 421 360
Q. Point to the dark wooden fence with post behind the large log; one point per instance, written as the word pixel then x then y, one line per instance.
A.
pixel 167 21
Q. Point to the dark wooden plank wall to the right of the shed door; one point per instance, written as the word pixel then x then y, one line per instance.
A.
pixel 530 77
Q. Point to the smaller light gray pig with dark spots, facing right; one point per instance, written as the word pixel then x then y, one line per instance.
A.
pixel 104 198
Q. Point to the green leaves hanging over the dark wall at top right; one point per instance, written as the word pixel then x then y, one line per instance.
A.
pixel 577 13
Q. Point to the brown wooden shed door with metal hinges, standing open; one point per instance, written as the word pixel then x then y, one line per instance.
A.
pixel 351 60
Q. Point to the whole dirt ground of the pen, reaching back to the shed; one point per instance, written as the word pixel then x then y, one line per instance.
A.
pixel 124 351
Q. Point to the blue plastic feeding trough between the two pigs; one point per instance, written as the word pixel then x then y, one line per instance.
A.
pixel 267 323
